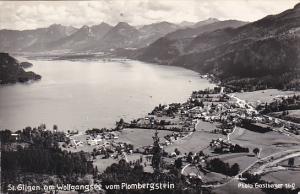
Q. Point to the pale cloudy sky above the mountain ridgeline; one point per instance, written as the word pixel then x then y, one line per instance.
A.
pixel 35 14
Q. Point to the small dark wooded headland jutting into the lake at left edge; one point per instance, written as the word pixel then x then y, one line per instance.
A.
pixel 11 71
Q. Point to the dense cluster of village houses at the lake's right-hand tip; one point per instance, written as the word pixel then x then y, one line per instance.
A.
pixel 233 110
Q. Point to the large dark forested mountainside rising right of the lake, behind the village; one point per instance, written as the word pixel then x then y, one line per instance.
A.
pixel 258 55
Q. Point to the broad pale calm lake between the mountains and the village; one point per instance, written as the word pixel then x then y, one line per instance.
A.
pixel 86 94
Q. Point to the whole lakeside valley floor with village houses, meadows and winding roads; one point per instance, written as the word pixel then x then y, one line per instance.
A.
pixel 214 138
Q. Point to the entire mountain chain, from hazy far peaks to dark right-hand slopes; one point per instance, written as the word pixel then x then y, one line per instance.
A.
pixel 243 55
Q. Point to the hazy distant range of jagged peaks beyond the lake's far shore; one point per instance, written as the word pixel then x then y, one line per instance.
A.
pixel 102 37
